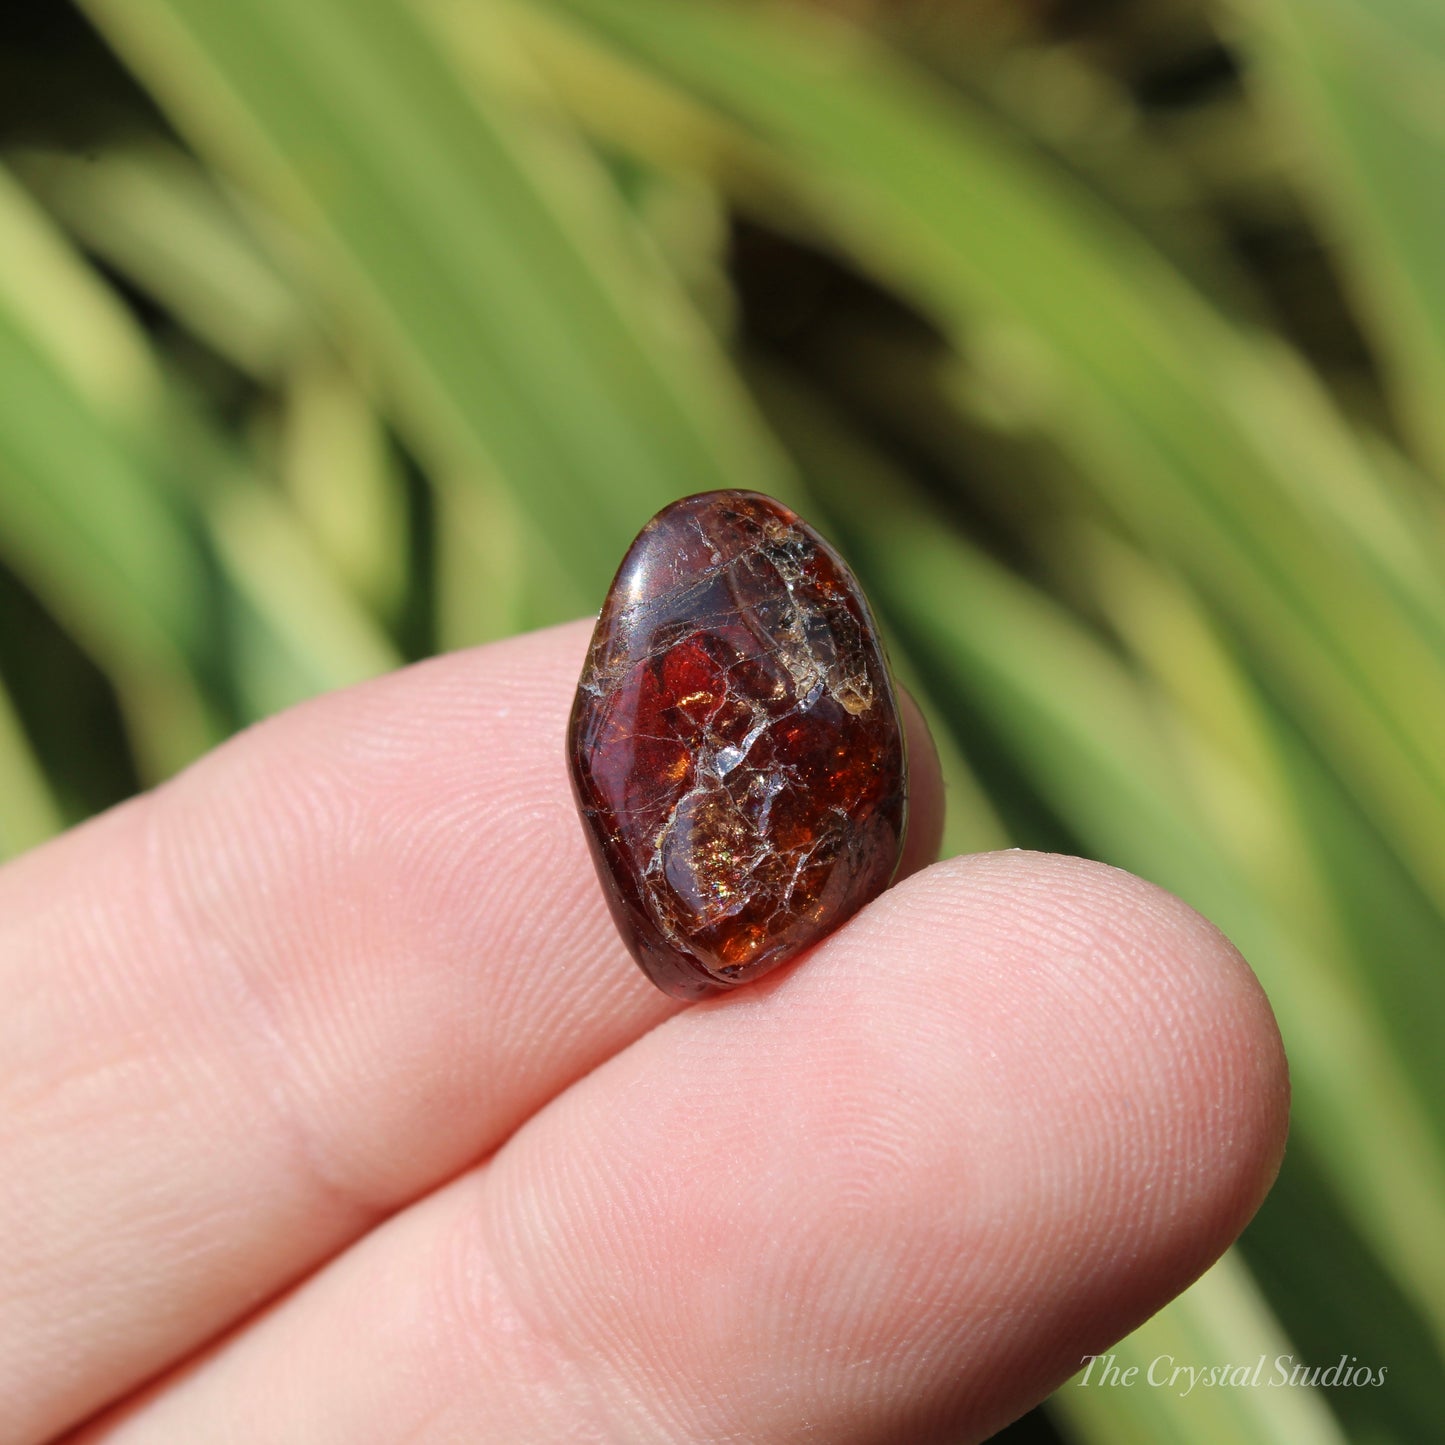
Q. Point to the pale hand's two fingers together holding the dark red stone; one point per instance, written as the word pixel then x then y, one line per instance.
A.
pixel 335 1110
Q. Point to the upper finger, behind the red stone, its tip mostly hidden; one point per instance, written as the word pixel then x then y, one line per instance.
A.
pixel 248 1017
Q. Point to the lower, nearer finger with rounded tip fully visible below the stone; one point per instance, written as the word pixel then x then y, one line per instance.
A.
pixel 895 1196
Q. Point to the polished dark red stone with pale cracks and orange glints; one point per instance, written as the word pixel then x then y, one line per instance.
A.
pixel 736 746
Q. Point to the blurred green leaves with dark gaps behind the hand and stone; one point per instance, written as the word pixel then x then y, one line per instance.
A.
pixel 1106 337
